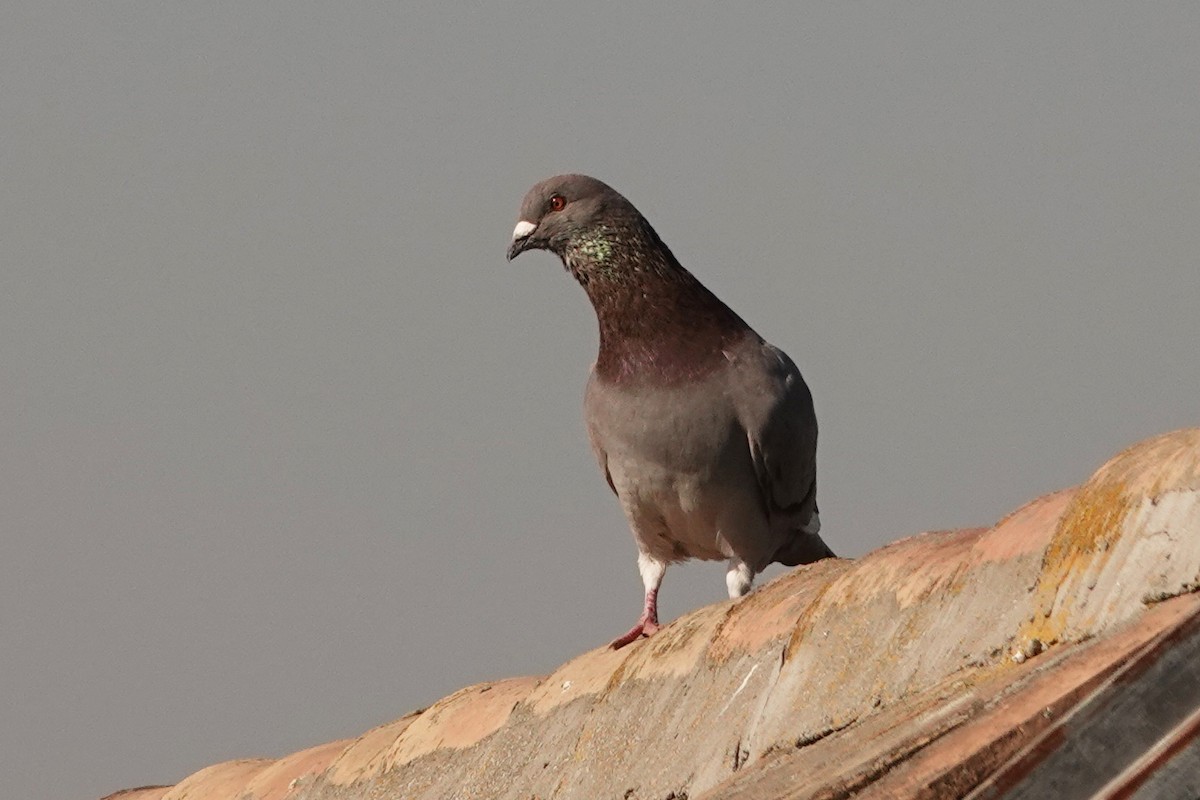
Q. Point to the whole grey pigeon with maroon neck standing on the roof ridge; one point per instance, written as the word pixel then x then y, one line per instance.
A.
pixel 705 432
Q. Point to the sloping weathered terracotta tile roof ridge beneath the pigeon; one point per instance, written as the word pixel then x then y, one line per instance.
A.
pixel 929 669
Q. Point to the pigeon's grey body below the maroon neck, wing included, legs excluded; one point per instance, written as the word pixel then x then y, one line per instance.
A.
pixel 724 468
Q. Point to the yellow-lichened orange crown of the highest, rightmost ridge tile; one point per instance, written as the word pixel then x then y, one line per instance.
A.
pixel 1096 520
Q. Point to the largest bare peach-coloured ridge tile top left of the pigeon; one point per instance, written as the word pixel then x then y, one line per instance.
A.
pixel 460 720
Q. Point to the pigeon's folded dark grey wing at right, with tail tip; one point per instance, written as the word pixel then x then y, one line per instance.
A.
pixel 776 407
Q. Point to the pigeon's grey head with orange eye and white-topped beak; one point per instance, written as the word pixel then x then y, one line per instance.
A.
pixel 577 218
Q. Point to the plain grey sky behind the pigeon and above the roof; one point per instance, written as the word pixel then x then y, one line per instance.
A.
pixel 287 449
